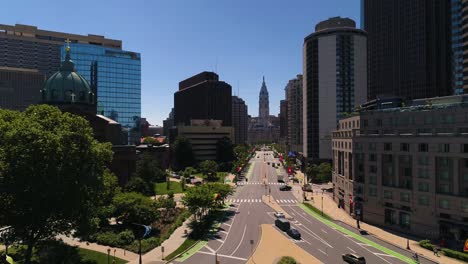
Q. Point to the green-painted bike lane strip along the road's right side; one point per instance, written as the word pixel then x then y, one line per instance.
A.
pixel 316 214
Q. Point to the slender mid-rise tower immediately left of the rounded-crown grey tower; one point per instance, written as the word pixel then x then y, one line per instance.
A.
pixel 294 99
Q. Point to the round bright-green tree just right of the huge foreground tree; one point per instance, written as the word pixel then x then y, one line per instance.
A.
pixel 134 208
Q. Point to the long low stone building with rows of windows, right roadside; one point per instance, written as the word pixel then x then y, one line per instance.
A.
pixel 406 168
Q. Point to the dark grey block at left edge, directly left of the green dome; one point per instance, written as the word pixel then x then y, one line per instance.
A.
pixel 20 88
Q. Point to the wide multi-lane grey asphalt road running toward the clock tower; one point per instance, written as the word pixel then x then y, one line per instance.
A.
pixel 247 213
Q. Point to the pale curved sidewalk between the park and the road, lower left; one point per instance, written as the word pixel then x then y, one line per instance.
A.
pixel 170 245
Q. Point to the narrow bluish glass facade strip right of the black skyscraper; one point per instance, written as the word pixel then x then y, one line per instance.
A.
pixel 456 46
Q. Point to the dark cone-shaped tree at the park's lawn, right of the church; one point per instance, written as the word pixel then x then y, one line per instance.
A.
pixel 148 169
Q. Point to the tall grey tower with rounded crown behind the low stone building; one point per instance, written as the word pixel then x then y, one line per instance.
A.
pixel 334 82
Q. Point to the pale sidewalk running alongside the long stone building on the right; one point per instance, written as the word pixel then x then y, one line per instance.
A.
pixel 331 209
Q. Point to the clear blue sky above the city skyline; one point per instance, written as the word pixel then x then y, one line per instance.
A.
pixel 246 39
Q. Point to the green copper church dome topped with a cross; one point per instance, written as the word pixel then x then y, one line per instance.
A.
pixel 67 86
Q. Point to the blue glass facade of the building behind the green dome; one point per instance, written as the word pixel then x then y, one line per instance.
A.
pixel 116 76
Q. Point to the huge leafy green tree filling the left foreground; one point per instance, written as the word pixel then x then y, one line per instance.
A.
pixel 51 172
